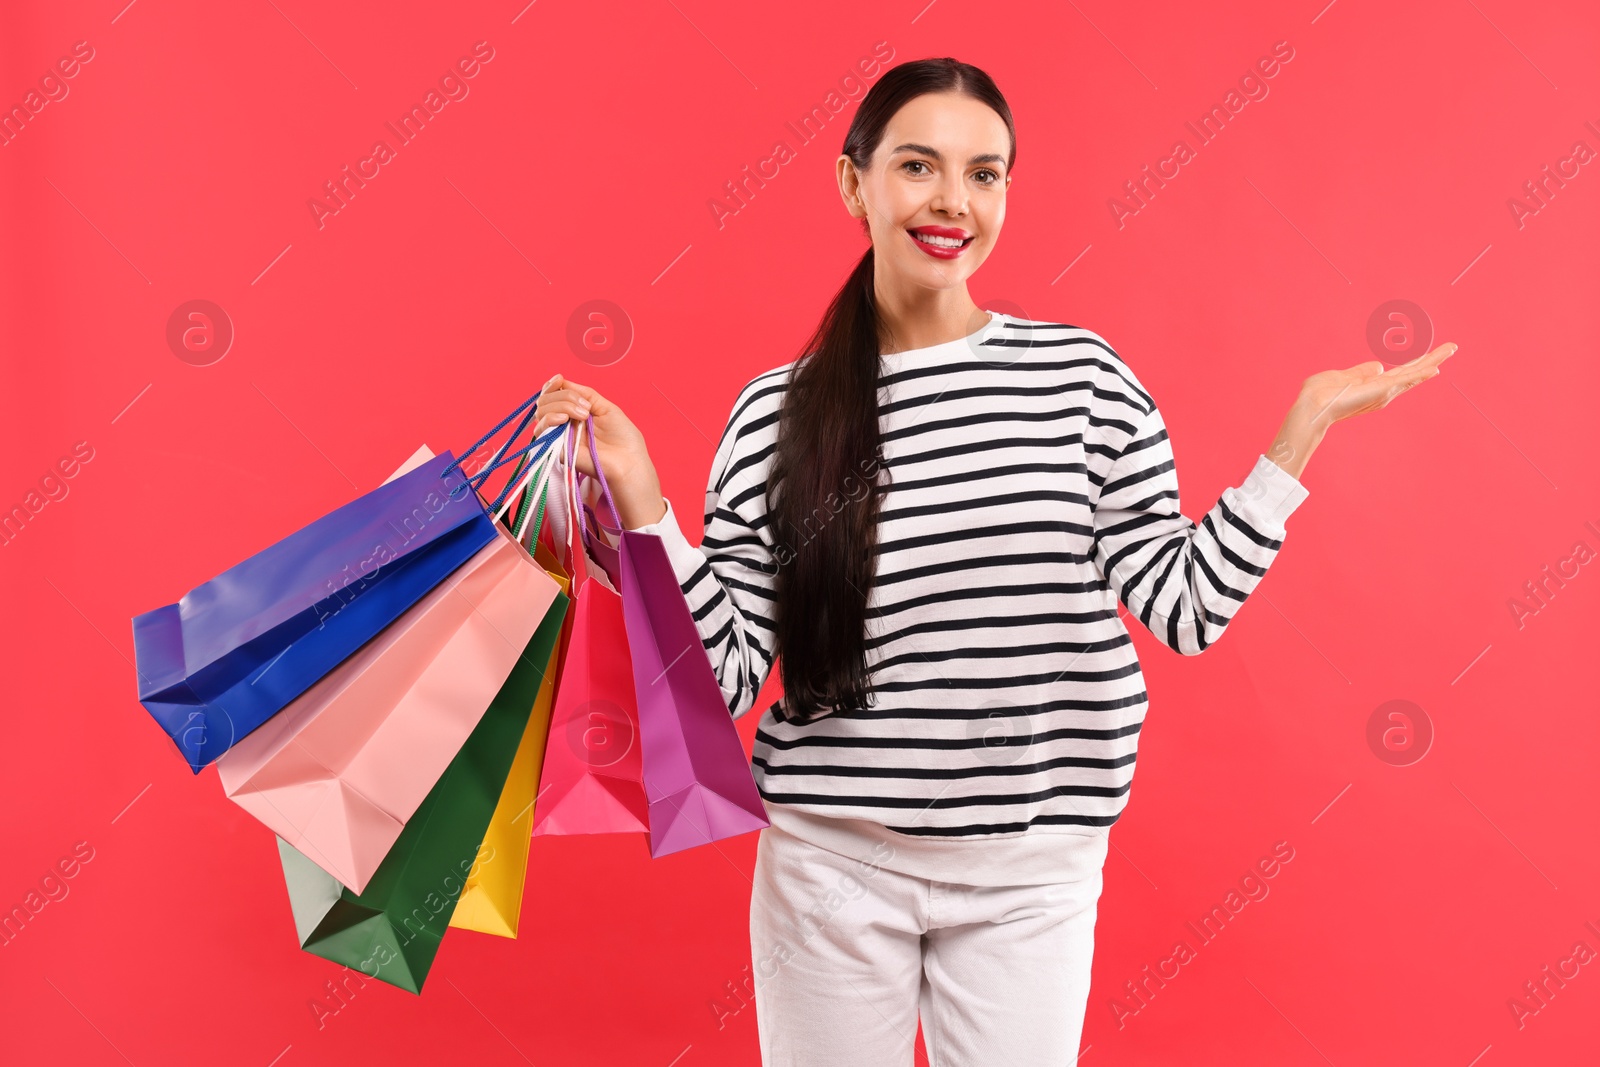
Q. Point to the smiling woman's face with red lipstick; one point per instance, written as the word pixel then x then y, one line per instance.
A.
pixel 935 191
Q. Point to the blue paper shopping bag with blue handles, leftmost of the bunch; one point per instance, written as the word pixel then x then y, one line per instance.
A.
pixel 239 649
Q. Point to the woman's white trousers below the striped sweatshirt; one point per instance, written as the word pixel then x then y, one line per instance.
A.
pixel 847 956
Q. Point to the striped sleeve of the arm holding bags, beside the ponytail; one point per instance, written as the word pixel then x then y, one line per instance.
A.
pixel 729 581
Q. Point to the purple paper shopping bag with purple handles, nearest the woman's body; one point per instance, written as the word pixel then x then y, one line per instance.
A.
pixel 697 777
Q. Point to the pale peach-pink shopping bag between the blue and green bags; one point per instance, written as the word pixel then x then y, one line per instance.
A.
pixel 342 770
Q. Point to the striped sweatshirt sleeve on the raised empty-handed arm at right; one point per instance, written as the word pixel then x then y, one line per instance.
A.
pixel 1185 581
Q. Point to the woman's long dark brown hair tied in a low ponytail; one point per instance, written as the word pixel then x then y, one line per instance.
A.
pixel 825 490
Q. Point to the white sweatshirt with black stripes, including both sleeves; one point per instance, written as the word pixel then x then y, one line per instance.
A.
pixel 1031 489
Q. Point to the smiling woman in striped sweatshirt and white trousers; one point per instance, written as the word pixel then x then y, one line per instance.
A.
pixel 930 519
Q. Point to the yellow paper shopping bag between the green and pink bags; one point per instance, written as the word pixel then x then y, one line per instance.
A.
pixel 492 901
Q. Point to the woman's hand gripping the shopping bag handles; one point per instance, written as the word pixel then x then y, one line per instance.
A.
pixel 623 454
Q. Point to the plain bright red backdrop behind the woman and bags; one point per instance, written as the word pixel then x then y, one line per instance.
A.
pixel 582 167
